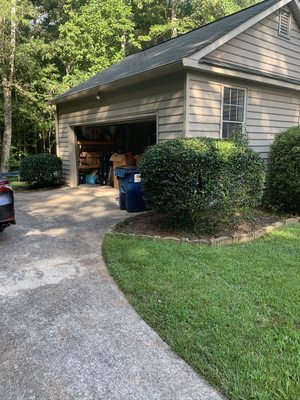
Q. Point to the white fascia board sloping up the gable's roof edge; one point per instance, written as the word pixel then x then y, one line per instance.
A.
pixel 232 34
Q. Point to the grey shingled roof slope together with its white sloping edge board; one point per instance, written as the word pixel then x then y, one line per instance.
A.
pixel 196 43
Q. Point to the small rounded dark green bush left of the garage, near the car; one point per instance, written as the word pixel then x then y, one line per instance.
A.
pixel 41 169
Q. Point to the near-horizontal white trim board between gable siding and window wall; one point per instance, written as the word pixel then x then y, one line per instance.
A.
pixel 194 65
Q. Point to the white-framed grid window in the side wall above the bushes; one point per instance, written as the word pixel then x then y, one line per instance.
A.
pixel 233 110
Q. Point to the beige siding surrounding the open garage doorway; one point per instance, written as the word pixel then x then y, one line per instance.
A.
pixel 163 99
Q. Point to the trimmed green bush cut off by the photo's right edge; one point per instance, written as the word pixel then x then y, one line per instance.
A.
pixel 283 185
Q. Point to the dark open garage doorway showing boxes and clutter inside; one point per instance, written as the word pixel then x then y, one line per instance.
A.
pixel 102 147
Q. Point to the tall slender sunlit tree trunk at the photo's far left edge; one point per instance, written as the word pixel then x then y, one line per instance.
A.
pixel 7 83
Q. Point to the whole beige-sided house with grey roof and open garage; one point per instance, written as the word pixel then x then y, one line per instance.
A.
pixel 242 70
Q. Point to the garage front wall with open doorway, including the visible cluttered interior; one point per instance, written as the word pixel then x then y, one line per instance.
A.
pixel 99 126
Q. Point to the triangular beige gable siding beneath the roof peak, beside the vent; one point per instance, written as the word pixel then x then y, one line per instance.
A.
pixel 261 48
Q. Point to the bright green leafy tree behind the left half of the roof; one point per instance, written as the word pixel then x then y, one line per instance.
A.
pixel 94 37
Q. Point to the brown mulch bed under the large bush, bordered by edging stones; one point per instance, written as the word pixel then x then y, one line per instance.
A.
pixel 154 224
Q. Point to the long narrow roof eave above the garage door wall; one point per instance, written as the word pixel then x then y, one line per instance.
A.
pixel 137 78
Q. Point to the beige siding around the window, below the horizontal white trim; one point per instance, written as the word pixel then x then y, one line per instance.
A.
pixel 268 110
